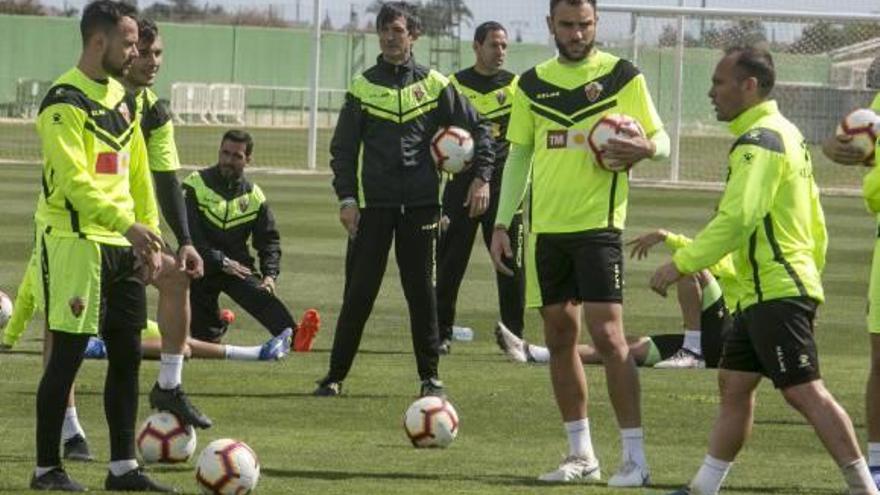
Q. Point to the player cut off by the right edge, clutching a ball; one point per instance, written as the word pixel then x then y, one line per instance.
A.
pixel 844 153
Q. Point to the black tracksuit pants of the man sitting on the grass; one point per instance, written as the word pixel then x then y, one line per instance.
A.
pixel 264 306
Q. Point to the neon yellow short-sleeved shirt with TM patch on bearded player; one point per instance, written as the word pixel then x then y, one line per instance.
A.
pixel 554 108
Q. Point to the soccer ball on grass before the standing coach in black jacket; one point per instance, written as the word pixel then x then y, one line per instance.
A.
pixel 431 422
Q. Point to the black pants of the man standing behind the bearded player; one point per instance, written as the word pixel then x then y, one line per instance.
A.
pixel 454 252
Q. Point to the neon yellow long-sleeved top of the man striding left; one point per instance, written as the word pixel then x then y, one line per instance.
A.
pixel 769 218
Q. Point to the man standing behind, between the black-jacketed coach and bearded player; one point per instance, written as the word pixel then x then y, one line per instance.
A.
pixel 468 201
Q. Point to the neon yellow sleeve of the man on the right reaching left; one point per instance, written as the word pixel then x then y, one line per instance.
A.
pixel 755 176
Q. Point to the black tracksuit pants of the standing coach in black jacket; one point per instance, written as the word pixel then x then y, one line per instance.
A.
pixel 414 231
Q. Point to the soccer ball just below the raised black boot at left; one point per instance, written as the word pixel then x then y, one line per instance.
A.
pixel 165 438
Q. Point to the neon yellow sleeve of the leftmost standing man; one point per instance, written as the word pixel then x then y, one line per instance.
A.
pixel 61 128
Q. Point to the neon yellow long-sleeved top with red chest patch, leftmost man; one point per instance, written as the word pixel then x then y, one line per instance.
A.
pixel 96 181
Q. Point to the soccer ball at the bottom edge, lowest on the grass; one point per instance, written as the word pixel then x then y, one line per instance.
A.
pixel 227 466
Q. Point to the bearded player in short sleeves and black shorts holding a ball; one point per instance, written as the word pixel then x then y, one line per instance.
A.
pixel 574 260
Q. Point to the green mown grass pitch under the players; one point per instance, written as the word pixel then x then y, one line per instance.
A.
pixel 510 428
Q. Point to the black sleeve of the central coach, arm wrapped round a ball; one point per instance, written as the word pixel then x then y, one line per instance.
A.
pixel 455 109
